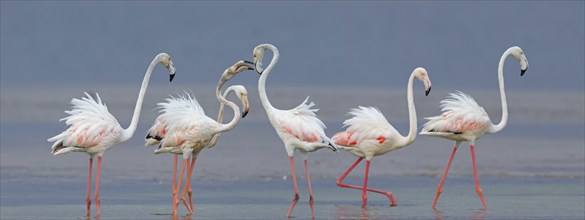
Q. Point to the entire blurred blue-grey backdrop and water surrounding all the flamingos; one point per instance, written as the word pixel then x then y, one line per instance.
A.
pixel 342 54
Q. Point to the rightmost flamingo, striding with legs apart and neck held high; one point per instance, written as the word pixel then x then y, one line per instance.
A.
pixel 462 119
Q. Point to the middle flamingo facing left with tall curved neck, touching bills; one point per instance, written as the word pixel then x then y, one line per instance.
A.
pixel 298 128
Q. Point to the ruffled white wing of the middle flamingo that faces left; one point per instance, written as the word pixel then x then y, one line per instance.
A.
pixel 303 124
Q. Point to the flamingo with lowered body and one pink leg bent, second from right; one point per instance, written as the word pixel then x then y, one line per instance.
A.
pixel 369 134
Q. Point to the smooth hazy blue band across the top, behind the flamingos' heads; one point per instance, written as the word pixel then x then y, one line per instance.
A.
pixel 321 43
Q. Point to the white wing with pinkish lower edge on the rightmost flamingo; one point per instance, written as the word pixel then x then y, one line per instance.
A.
pixel 461 114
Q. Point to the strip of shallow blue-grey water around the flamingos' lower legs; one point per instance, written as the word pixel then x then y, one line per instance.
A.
pixel 507 198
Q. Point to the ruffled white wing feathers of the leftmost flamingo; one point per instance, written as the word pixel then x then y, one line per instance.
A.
pixel 90 124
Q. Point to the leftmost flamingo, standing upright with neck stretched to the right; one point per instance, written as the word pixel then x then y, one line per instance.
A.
pixel 93 130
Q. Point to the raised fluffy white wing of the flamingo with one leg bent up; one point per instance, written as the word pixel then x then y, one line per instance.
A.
pixel 366 123
